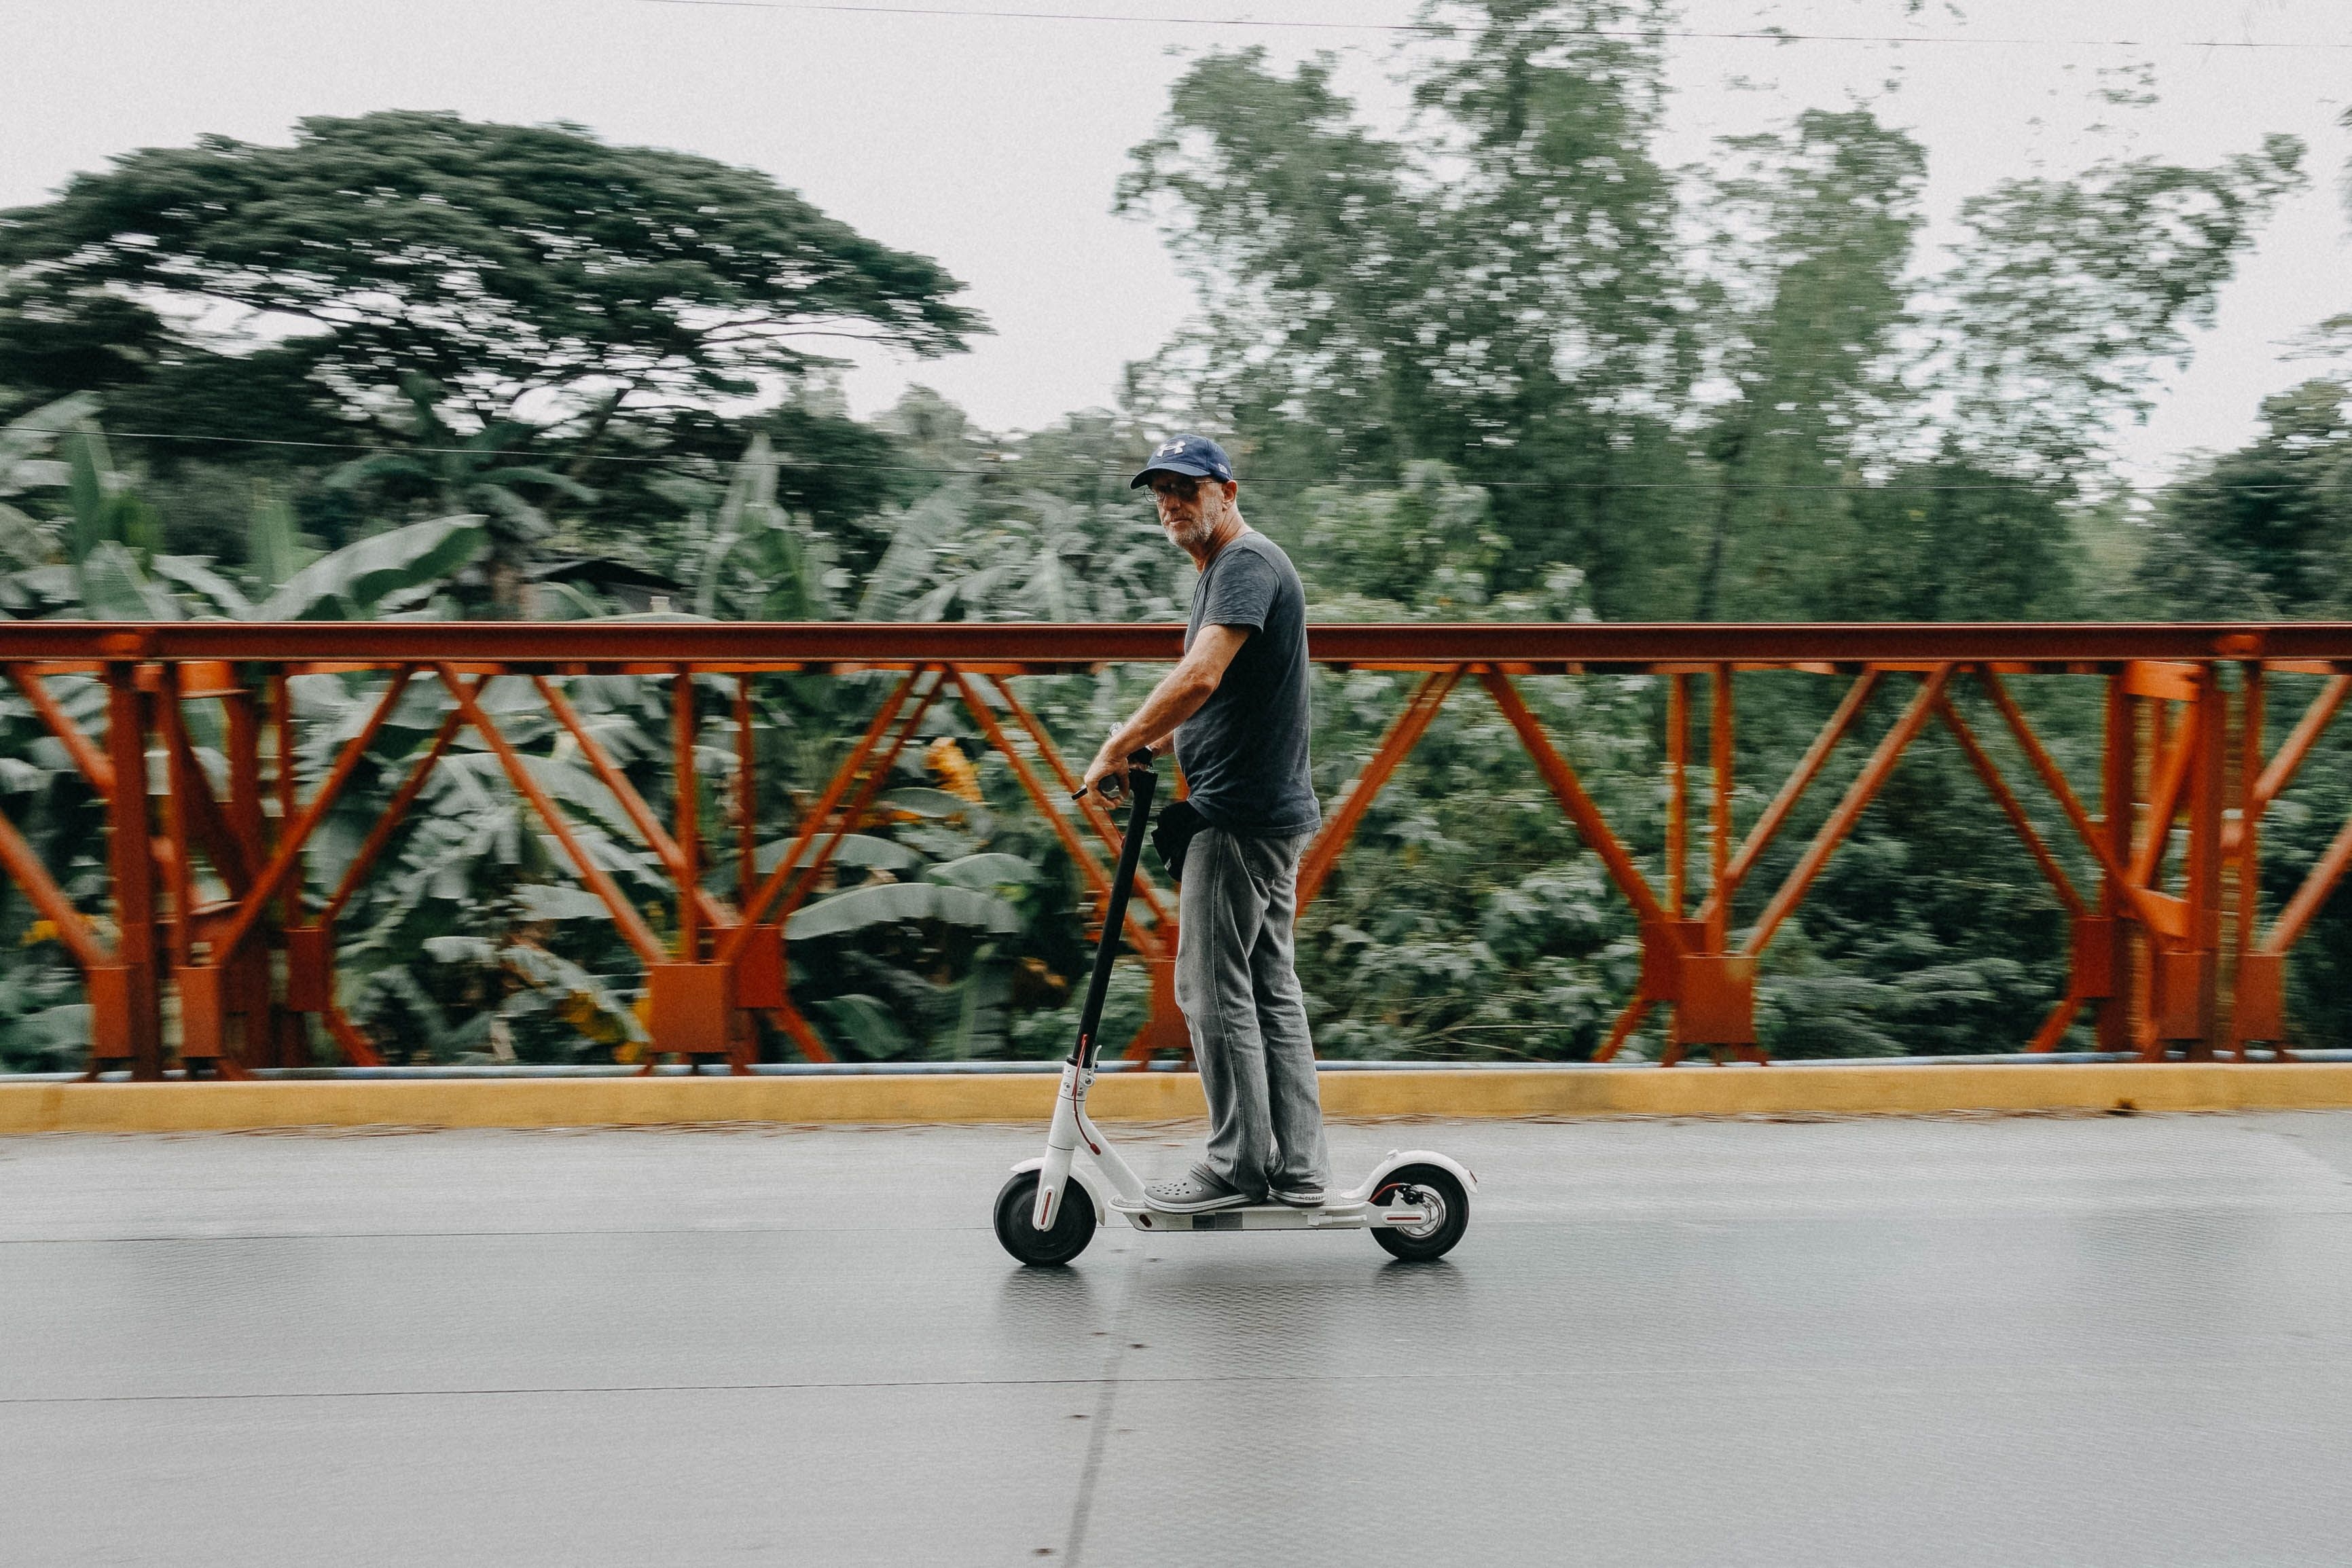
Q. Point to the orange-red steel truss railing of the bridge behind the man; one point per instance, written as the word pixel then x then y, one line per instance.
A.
pixel 2170 949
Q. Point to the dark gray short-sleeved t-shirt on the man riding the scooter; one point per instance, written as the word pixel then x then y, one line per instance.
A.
pixel 1245 753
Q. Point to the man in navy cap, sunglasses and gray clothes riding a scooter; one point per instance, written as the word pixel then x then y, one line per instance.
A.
pixel 1238 716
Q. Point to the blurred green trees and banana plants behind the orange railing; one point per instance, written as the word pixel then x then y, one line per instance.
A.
pixel 1502 366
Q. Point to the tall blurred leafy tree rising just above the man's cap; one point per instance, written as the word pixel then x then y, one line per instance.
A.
pixel 1497 295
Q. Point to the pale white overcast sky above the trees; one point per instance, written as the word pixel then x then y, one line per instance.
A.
pixel 994 145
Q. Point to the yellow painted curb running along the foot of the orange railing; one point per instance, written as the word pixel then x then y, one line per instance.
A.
pixel 1163 1097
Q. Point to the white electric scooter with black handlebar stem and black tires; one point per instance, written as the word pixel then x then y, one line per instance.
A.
pixel 1417 1205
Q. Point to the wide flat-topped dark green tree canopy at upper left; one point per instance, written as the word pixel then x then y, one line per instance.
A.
pixel 523 269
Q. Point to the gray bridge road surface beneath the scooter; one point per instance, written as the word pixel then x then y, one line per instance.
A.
pixel 1815 1343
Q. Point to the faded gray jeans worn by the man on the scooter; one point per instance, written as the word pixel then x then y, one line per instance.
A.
pixel 1248 1017
